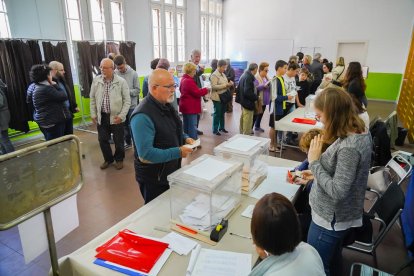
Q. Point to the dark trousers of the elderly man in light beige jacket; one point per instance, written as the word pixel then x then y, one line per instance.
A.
pixel 104 134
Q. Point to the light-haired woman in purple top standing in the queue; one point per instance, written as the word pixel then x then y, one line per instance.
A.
pixel 263 89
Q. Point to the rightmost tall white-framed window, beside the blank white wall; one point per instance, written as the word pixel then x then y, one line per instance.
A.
pixel 211 29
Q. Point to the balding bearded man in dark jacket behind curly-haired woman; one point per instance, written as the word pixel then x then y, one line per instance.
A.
pixel 58 75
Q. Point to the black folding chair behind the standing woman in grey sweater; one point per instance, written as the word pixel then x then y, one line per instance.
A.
pixel 386 211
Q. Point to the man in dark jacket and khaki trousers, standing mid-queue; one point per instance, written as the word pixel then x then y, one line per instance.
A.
pixel 248 97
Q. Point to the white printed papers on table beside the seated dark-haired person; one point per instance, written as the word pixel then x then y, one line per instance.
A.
pixel 207 262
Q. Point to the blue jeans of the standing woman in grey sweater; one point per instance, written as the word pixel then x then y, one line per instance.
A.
pixel 328 243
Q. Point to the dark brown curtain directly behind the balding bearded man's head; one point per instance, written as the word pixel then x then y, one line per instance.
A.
pixel 59 53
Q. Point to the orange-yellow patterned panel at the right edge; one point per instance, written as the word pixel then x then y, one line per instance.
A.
pixel 405 107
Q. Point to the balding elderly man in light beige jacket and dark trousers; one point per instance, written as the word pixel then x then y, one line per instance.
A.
pixel 110 102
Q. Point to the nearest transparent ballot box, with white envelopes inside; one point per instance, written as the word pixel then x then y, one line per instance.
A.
pixel 204 192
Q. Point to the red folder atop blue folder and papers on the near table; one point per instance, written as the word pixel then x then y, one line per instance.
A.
pixel 133 254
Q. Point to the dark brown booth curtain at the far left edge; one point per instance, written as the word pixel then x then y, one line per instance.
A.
pixel 15 63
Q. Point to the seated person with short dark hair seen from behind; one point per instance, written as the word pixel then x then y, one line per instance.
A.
pixel 276 234
